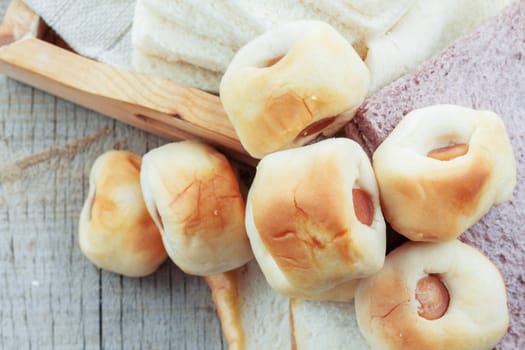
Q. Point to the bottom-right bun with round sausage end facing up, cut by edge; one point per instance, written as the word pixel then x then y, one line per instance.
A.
pixel 433 296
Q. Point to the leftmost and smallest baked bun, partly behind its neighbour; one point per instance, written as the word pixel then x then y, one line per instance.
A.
pixel 116 232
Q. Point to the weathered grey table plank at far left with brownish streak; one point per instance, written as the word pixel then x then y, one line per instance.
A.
pixel 49 290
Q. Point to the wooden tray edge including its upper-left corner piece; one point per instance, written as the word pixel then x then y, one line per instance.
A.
pixel 19 41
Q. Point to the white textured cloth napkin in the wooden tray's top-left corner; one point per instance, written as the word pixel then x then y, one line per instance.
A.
pixel 99 29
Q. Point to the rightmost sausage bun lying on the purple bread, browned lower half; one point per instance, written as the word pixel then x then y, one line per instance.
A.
pixel 441 169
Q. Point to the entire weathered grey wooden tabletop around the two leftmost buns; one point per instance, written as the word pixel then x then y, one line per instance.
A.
pixel 50 295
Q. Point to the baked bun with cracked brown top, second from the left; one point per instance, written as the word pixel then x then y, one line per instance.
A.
pixel 193 196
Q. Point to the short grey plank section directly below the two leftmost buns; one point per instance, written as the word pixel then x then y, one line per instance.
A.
pixel 166 310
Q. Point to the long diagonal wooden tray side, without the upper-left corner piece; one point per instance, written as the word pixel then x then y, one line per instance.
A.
pixel 159 106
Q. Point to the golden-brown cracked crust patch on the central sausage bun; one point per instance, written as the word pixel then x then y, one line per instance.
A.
pixel 303 217
